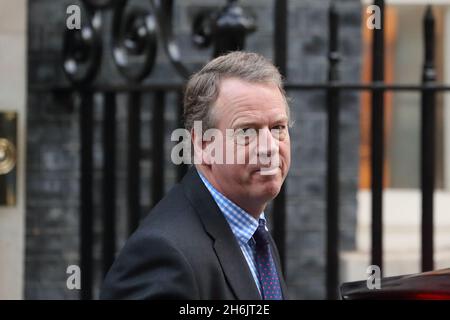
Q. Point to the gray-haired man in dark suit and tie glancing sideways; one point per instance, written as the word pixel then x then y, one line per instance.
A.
pixel 207 239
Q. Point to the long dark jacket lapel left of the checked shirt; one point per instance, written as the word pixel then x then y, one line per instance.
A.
pixel 227 249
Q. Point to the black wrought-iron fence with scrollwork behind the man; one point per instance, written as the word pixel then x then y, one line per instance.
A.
pixel 134 38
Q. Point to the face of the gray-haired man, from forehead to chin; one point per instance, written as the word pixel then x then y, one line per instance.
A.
pixel 256 113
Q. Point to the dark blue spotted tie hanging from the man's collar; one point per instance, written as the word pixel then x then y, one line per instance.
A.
pixel 267 272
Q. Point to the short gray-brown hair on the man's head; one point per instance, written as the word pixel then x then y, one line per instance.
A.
pixel 202 89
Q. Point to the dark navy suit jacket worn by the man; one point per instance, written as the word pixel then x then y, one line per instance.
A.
pixel 183 249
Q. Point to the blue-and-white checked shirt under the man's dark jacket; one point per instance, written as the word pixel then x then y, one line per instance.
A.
pixel 242 224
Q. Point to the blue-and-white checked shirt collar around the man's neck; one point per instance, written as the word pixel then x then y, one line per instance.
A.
pixel 242 224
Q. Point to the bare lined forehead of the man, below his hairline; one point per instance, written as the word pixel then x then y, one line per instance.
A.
pixel 242 100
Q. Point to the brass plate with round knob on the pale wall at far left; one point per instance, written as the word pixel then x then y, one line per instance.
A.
pixel 8 158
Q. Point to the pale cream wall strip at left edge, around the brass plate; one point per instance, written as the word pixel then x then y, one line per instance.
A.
pixel 13 31
